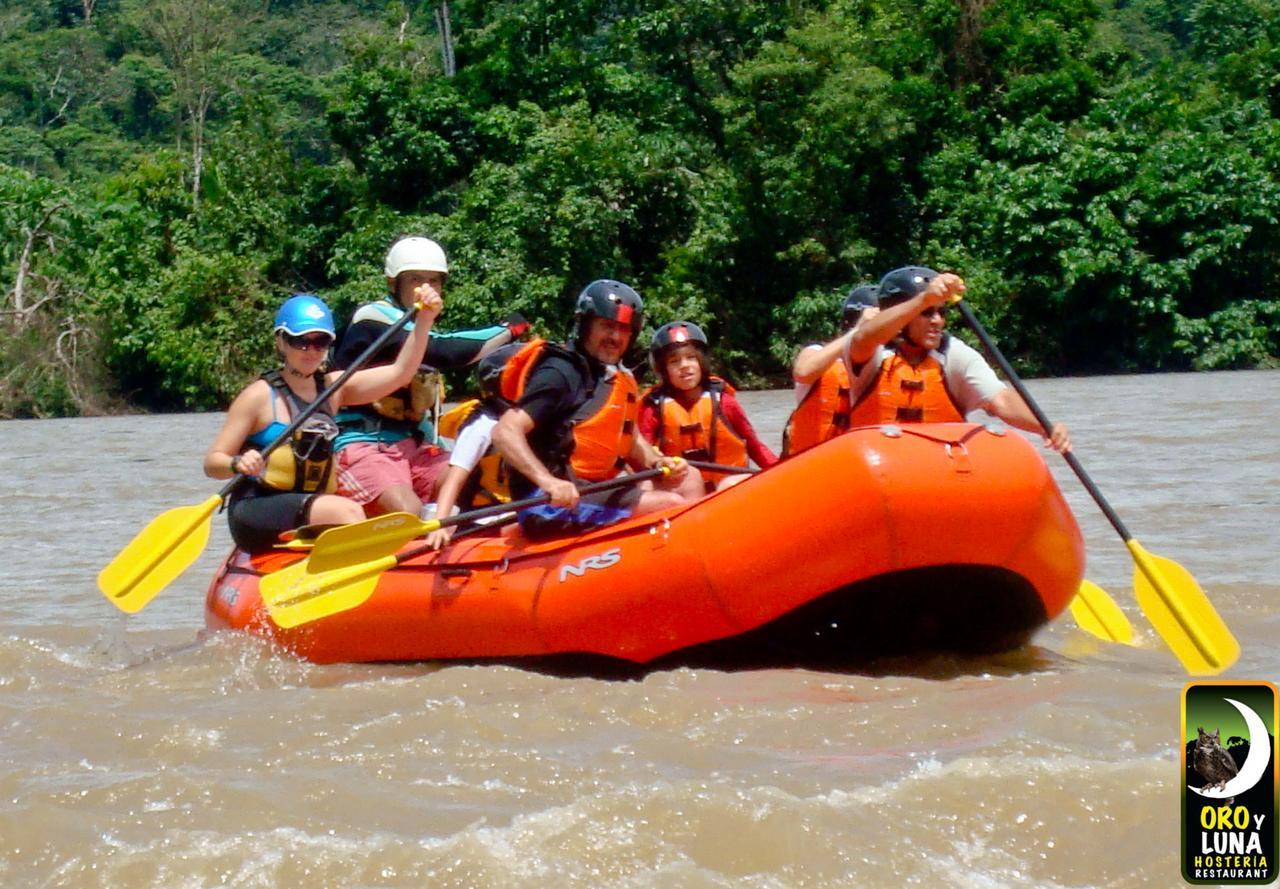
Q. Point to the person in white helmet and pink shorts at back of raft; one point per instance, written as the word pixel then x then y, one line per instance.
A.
pixel 385 462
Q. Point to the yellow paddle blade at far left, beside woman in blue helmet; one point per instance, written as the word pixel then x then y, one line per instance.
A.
pixel 157 556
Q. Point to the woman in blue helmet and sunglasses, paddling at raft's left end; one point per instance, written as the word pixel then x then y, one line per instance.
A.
pixel 295 484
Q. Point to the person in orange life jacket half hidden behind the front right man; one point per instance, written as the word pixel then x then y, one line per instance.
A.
pixel 824 387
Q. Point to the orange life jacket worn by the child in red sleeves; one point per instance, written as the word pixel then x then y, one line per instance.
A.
pixel 701 433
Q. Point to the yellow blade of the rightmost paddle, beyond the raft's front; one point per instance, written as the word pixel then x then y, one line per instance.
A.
pixel 1182 613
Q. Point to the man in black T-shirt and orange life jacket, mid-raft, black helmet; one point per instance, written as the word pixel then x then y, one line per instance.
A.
pixel 575 414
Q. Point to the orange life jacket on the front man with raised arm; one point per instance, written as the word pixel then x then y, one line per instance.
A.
pixel 904 393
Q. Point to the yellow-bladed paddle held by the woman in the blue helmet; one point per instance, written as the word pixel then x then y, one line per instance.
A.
pixel 173 540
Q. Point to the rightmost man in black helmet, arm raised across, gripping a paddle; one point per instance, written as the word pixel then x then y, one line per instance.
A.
pixel 911 370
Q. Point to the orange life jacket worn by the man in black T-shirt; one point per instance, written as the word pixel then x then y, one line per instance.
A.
pixel 598 437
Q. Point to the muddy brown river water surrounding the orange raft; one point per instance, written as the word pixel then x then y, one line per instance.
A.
pixel 148 753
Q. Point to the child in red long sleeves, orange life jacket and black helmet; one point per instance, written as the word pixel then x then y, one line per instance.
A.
pixel 694 415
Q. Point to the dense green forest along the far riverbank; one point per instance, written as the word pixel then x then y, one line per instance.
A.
pixel 1105 175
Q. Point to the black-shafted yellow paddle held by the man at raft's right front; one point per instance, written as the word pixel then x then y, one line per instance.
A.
pixel 1167 593
